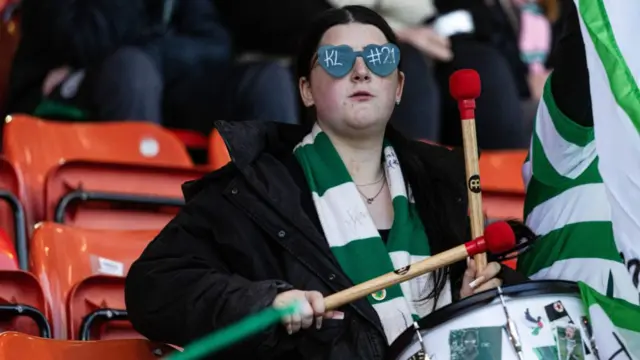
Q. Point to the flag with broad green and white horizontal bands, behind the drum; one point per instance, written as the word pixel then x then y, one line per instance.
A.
pixel 568 203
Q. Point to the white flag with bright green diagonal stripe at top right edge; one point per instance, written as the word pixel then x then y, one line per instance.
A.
pixel 610 32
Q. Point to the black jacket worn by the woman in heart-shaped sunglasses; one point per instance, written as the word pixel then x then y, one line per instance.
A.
pixel 247 233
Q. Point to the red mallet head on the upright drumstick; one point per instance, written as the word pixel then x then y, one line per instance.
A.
pixel 464 86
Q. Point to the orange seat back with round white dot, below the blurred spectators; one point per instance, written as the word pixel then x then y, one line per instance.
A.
pixel 36 148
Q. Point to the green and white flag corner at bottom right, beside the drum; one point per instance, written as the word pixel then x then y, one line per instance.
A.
pixel 615 323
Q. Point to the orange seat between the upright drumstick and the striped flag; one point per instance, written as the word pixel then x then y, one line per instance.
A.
pixel 502 187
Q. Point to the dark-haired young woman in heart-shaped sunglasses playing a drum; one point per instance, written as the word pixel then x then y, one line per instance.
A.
pixel 305 211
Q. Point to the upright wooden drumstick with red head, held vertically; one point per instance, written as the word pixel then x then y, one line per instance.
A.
pixel 464 86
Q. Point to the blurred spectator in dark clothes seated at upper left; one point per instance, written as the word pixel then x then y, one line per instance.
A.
pixel 166 61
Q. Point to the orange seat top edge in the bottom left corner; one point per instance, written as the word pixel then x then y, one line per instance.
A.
pixel 16 346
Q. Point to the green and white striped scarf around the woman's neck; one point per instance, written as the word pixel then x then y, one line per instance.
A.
pixel 354 239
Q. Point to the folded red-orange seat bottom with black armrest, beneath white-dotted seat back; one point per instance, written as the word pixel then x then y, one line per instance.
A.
pixel 115 196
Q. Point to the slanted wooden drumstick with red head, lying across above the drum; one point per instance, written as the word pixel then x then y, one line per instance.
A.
pixel 498 238
